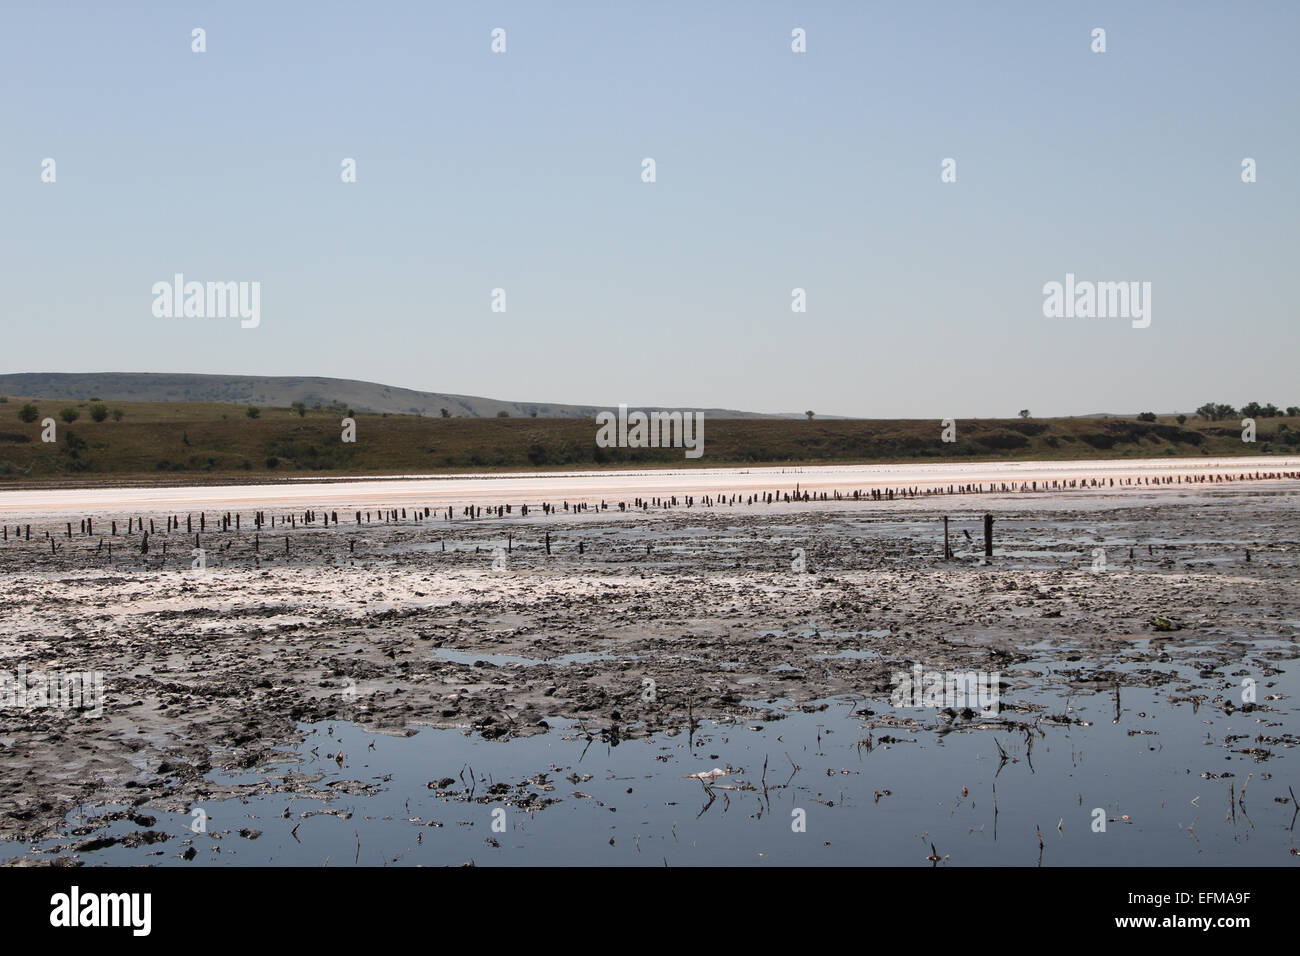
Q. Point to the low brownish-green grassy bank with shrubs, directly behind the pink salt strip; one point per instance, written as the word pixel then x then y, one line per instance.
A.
pixel 206 442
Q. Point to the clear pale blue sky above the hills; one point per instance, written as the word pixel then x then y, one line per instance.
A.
pixel 523 171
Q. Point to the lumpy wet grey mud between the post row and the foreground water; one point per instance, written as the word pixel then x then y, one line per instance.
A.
pixel 662 625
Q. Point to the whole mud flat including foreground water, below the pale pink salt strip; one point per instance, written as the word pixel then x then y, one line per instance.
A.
pixel 668 686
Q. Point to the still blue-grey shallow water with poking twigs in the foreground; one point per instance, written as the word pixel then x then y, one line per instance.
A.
pixel 1167 776
